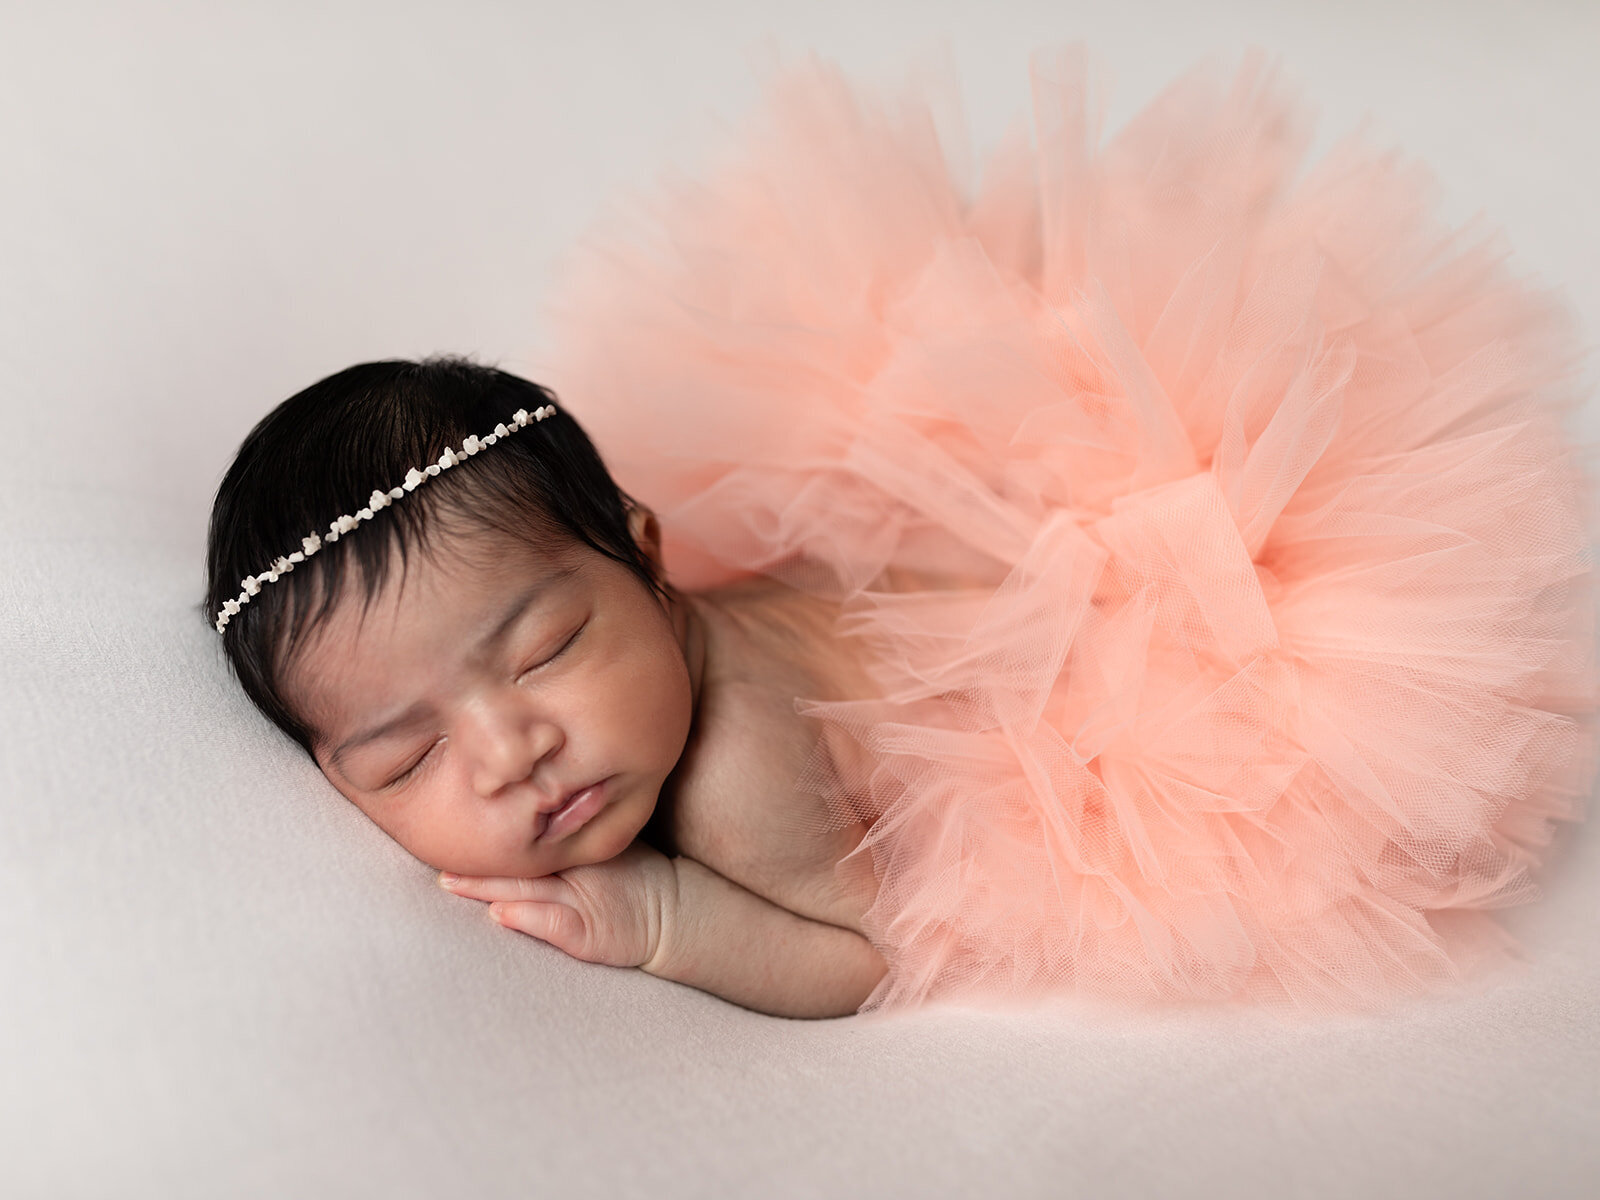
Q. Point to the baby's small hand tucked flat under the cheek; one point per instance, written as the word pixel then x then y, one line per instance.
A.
pixel 604 913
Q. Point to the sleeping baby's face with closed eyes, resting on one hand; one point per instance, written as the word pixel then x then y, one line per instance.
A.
pixel 494 684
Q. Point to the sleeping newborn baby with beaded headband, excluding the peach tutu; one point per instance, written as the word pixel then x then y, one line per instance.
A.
pixel 502 678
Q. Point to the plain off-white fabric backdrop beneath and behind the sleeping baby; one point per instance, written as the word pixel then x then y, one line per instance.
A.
pixel 222 982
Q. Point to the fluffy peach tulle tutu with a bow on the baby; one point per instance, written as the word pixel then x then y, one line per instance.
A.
pixel 1218 532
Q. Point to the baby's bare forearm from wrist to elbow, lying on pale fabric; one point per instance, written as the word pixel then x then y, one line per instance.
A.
pixel 732 943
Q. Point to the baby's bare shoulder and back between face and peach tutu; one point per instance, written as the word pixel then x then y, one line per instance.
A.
pixel 738 801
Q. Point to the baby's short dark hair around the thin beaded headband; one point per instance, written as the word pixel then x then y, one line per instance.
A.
pixel 326 450
